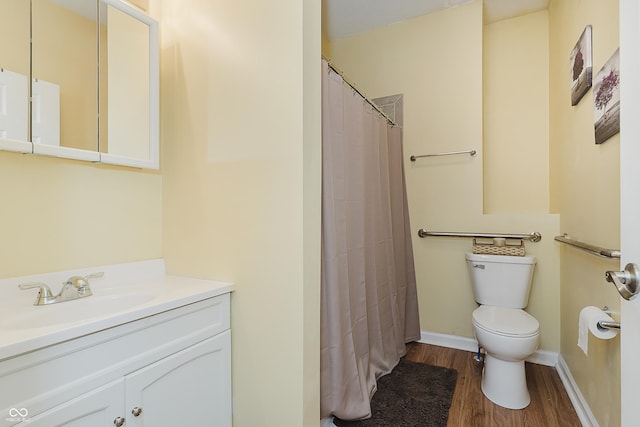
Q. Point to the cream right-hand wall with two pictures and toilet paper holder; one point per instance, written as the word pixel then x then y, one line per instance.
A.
pixel 585 191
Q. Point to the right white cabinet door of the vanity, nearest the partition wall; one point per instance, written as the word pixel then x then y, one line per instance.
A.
pixel 189 388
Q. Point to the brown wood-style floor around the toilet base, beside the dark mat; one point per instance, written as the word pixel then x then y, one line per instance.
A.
pixel 550 405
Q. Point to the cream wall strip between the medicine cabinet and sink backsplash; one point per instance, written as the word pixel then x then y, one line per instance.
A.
pixel 61 214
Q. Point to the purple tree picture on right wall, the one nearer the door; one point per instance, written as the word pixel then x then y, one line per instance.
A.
pixel 606 99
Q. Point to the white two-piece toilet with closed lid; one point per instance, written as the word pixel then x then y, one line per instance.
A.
pixel 508 334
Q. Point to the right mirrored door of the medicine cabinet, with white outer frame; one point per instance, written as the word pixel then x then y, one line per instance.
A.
pixel 129 86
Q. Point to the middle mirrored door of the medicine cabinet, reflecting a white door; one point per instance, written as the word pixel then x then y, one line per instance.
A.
pixel 64 61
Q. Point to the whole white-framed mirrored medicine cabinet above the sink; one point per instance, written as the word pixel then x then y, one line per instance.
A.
pixel 84 86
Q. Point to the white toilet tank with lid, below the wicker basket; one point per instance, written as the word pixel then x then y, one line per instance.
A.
pixel 500 280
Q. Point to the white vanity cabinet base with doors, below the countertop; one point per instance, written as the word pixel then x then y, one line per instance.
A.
pixel 169 369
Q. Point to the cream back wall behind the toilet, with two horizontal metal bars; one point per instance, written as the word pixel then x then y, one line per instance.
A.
pixel 443 107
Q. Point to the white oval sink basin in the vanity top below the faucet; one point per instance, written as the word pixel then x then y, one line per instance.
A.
pixel 79 310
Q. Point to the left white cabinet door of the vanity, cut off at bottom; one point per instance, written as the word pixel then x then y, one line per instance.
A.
pixel 97 408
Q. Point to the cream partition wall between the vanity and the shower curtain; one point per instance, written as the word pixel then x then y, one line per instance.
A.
pixel 241 170
